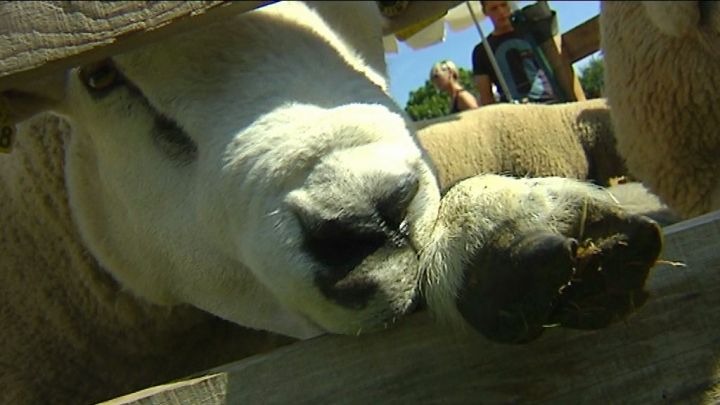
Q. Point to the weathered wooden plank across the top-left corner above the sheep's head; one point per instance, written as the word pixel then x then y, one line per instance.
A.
pixel 41 37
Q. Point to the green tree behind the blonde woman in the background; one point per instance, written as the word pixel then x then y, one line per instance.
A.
pixel 428 102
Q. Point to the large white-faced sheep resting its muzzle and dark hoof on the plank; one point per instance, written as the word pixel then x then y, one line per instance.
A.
pixel 198 200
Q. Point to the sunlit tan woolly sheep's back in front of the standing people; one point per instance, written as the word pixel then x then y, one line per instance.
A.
pixel 572 140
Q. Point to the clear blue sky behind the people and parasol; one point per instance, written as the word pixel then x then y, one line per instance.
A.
pixel 408 69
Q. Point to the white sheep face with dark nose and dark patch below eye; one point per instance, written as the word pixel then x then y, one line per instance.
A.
pixel 257 170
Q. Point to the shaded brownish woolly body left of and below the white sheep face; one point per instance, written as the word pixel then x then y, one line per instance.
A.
pixel 71 333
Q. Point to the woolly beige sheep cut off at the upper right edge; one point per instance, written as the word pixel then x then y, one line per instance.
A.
pixel 661 60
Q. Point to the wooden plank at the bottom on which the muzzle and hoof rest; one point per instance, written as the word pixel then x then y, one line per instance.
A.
pixel 668 351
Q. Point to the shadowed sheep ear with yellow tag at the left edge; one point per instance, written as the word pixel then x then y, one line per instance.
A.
pixel 20 102
